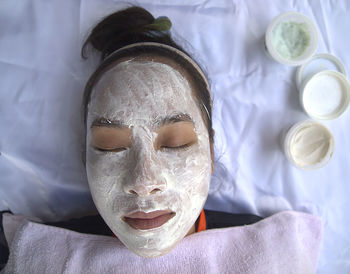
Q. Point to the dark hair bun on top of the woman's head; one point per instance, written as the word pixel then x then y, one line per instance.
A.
pixel 132 25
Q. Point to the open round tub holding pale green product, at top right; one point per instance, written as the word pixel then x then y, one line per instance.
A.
pixel 291 39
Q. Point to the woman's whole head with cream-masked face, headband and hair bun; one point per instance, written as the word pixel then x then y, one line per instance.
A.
pixel 149 137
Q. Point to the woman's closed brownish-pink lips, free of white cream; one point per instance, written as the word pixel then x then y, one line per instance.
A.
pixel 143 221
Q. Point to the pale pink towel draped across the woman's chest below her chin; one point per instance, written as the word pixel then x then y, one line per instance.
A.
pixel 287 242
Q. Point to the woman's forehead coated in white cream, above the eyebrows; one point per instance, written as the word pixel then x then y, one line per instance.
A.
pixel 144 88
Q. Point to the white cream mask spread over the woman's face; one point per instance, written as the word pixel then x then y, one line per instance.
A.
pixel 139 93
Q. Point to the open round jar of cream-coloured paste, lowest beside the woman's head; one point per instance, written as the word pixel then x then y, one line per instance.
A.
pixel 309 145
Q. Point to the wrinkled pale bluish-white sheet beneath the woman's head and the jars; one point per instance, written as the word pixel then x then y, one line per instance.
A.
pixel 255 101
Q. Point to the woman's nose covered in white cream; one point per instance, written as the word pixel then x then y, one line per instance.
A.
pixel 145 179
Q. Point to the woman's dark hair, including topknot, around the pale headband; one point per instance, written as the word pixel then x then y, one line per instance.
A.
pixel 130 26
